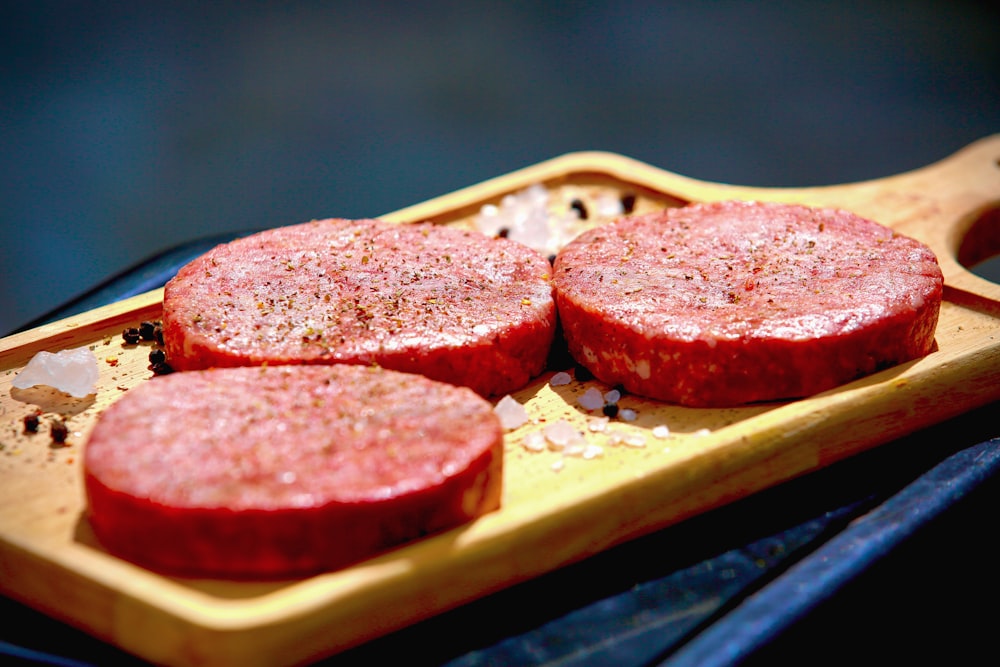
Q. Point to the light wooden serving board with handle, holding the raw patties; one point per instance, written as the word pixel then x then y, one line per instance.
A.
pixel 557 508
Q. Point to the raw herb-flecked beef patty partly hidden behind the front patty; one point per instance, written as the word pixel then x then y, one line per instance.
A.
pixel 451 304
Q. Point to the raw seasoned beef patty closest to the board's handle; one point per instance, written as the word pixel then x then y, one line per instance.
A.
pixel 736 302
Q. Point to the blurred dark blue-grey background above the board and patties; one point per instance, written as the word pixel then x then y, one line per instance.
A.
pixel 128 128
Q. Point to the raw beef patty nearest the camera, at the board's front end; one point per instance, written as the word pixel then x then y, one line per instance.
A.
pixel 276 471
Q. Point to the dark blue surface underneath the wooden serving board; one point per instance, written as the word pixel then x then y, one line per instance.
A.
pixel 884 554
